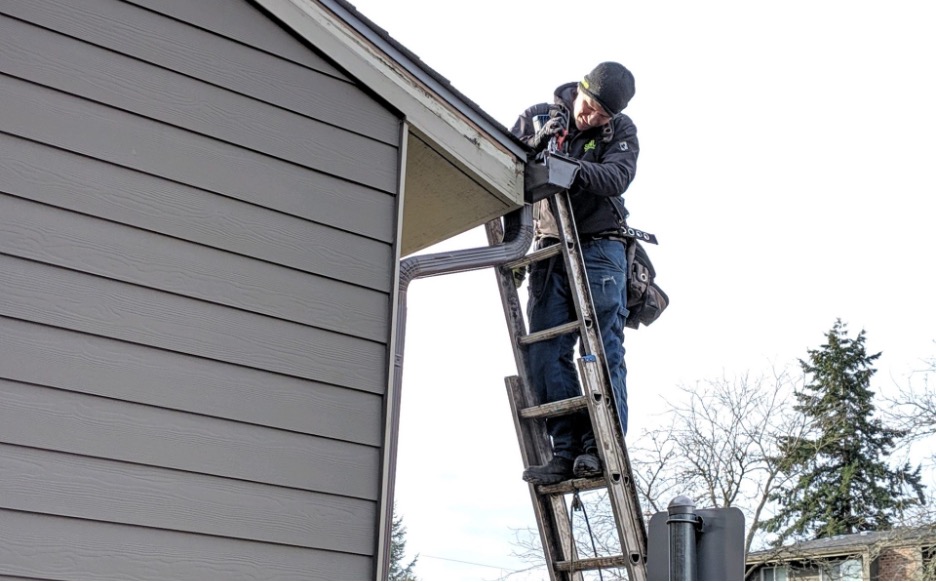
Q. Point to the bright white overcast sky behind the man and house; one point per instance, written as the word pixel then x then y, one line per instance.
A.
pixel 796 137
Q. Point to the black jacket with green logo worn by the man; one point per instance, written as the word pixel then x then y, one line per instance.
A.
pixel 608 156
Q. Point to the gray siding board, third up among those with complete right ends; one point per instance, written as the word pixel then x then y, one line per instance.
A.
pixel 117 370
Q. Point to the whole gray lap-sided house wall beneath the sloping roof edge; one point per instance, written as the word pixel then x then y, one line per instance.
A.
pixel 197 223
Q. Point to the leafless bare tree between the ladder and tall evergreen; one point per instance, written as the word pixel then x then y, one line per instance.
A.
pixel 721 446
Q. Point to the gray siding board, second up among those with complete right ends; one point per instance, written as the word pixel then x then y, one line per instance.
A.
pixel 46 418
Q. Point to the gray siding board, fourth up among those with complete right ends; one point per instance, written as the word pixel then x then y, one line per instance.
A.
pixel 80 302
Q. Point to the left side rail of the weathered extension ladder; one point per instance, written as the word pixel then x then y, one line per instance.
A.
pixel 550 511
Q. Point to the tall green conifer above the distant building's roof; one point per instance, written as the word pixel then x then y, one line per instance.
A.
pixel 845 485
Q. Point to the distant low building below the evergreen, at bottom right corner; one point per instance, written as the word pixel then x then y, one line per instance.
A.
pixel 901 554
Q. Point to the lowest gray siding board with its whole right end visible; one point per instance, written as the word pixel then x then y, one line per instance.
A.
pixel 53 483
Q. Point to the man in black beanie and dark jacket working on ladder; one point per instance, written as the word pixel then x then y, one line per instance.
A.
pixel 587 121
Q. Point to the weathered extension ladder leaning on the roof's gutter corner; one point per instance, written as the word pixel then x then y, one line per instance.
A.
pixel 549 501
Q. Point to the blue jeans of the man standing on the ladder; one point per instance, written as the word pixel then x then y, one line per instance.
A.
pixel 552 374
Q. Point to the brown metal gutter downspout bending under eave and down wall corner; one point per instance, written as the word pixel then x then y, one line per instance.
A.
pixel 518 236
